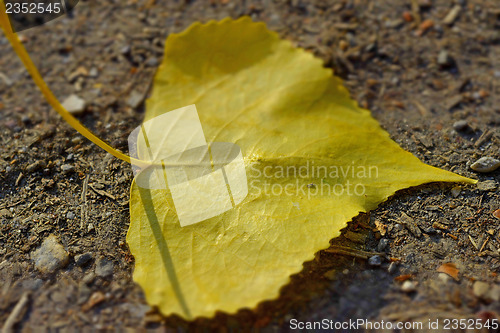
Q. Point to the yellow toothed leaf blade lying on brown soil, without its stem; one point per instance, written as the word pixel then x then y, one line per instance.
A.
pixel 299 131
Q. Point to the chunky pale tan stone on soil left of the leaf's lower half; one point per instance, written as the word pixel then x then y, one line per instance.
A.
pixel 51 256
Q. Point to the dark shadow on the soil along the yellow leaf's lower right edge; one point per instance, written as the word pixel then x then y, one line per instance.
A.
pixel 314 290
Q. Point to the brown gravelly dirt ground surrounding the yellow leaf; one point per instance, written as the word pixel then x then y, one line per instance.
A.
pixel 417 70
